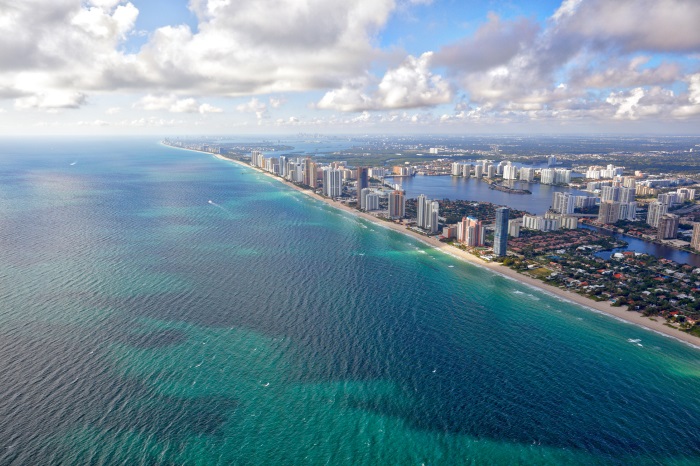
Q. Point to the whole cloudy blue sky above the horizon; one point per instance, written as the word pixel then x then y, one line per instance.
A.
pixel 179 67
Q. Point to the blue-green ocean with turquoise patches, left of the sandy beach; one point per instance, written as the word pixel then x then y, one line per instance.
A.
pixel 142 324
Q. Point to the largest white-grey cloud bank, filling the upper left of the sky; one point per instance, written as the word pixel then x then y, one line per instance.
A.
pixel 239 48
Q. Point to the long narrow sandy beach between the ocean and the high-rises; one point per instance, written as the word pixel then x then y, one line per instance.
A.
pixel 603 307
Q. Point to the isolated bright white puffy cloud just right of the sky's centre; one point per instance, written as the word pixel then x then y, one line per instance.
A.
pixel 411 84
